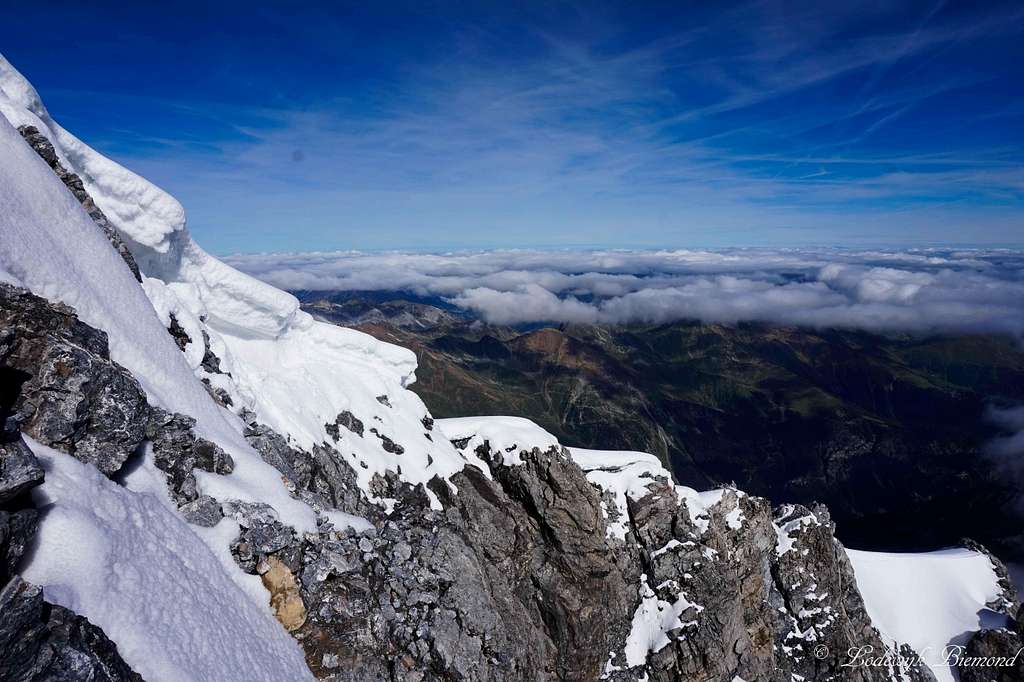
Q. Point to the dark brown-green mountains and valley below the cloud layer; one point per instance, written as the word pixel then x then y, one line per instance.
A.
pixel 888 432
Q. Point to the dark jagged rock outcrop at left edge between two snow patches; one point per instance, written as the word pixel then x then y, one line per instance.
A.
pixel 69 394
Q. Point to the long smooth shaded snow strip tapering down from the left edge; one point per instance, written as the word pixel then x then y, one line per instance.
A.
pixel 52 247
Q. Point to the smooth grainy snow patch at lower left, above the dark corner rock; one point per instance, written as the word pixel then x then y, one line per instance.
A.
pixel 126 562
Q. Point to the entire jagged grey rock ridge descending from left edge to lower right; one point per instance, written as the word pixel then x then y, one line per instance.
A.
pixel 517 578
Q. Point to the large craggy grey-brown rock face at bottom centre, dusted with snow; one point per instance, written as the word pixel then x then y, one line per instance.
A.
pixel 517 579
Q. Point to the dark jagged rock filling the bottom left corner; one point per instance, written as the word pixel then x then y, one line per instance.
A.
pixel 41 642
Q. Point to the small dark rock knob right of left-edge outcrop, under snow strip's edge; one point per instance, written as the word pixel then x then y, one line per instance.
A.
pixel 178 451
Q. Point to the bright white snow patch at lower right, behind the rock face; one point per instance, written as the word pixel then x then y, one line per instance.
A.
pixel 928 601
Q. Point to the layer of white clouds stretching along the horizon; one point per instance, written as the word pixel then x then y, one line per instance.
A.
pixel 916 290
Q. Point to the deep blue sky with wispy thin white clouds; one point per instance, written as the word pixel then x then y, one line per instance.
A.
pixel 298 127
